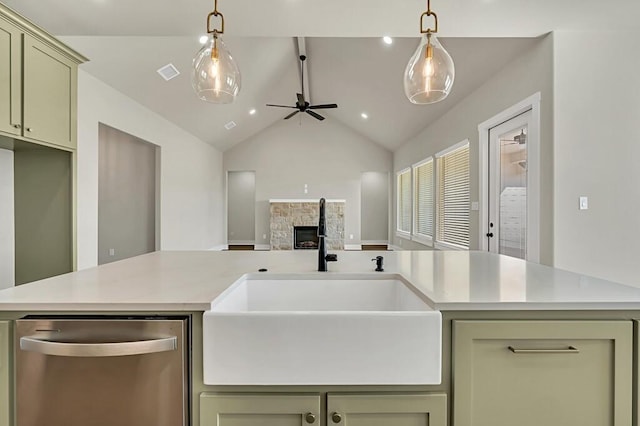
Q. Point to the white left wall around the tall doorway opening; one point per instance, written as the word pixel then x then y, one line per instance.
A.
pixel 191 178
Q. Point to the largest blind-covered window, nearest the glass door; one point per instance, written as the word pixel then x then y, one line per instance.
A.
pixel 452 222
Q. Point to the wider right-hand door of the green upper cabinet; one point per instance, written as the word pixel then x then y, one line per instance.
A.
pixel 50 95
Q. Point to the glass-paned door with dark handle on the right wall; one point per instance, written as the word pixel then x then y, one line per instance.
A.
pixel 508 204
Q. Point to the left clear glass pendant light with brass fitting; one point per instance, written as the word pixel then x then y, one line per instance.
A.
pixel 215 76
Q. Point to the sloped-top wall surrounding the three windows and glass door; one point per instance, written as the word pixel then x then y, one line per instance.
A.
pixel 529 73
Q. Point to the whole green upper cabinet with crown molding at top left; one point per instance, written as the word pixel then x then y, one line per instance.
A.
pixel 38 84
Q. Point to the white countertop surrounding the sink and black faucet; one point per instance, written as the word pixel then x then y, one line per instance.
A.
pixel 189 281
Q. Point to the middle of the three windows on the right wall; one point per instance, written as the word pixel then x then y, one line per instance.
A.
pixel 423 201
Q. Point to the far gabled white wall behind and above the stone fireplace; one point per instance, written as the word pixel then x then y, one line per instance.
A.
pixel 327 156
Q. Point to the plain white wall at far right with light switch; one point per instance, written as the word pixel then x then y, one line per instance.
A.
pixel 597 154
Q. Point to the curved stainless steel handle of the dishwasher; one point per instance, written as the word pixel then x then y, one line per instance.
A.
pixel 49 347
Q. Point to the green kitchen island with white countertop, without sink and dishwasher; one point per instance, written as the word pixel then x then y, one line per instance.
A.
pixel 518 338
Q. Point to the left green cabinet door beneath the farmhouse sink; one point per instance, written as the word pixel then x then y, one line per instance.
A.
pixel 259 410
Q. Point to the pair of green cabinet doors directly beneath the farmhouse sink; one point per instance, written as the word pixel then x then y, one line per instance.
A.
pixel 371 409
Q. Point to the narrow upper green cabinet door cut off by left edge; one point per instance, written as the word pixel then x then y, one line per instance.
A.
pixel 10 79
